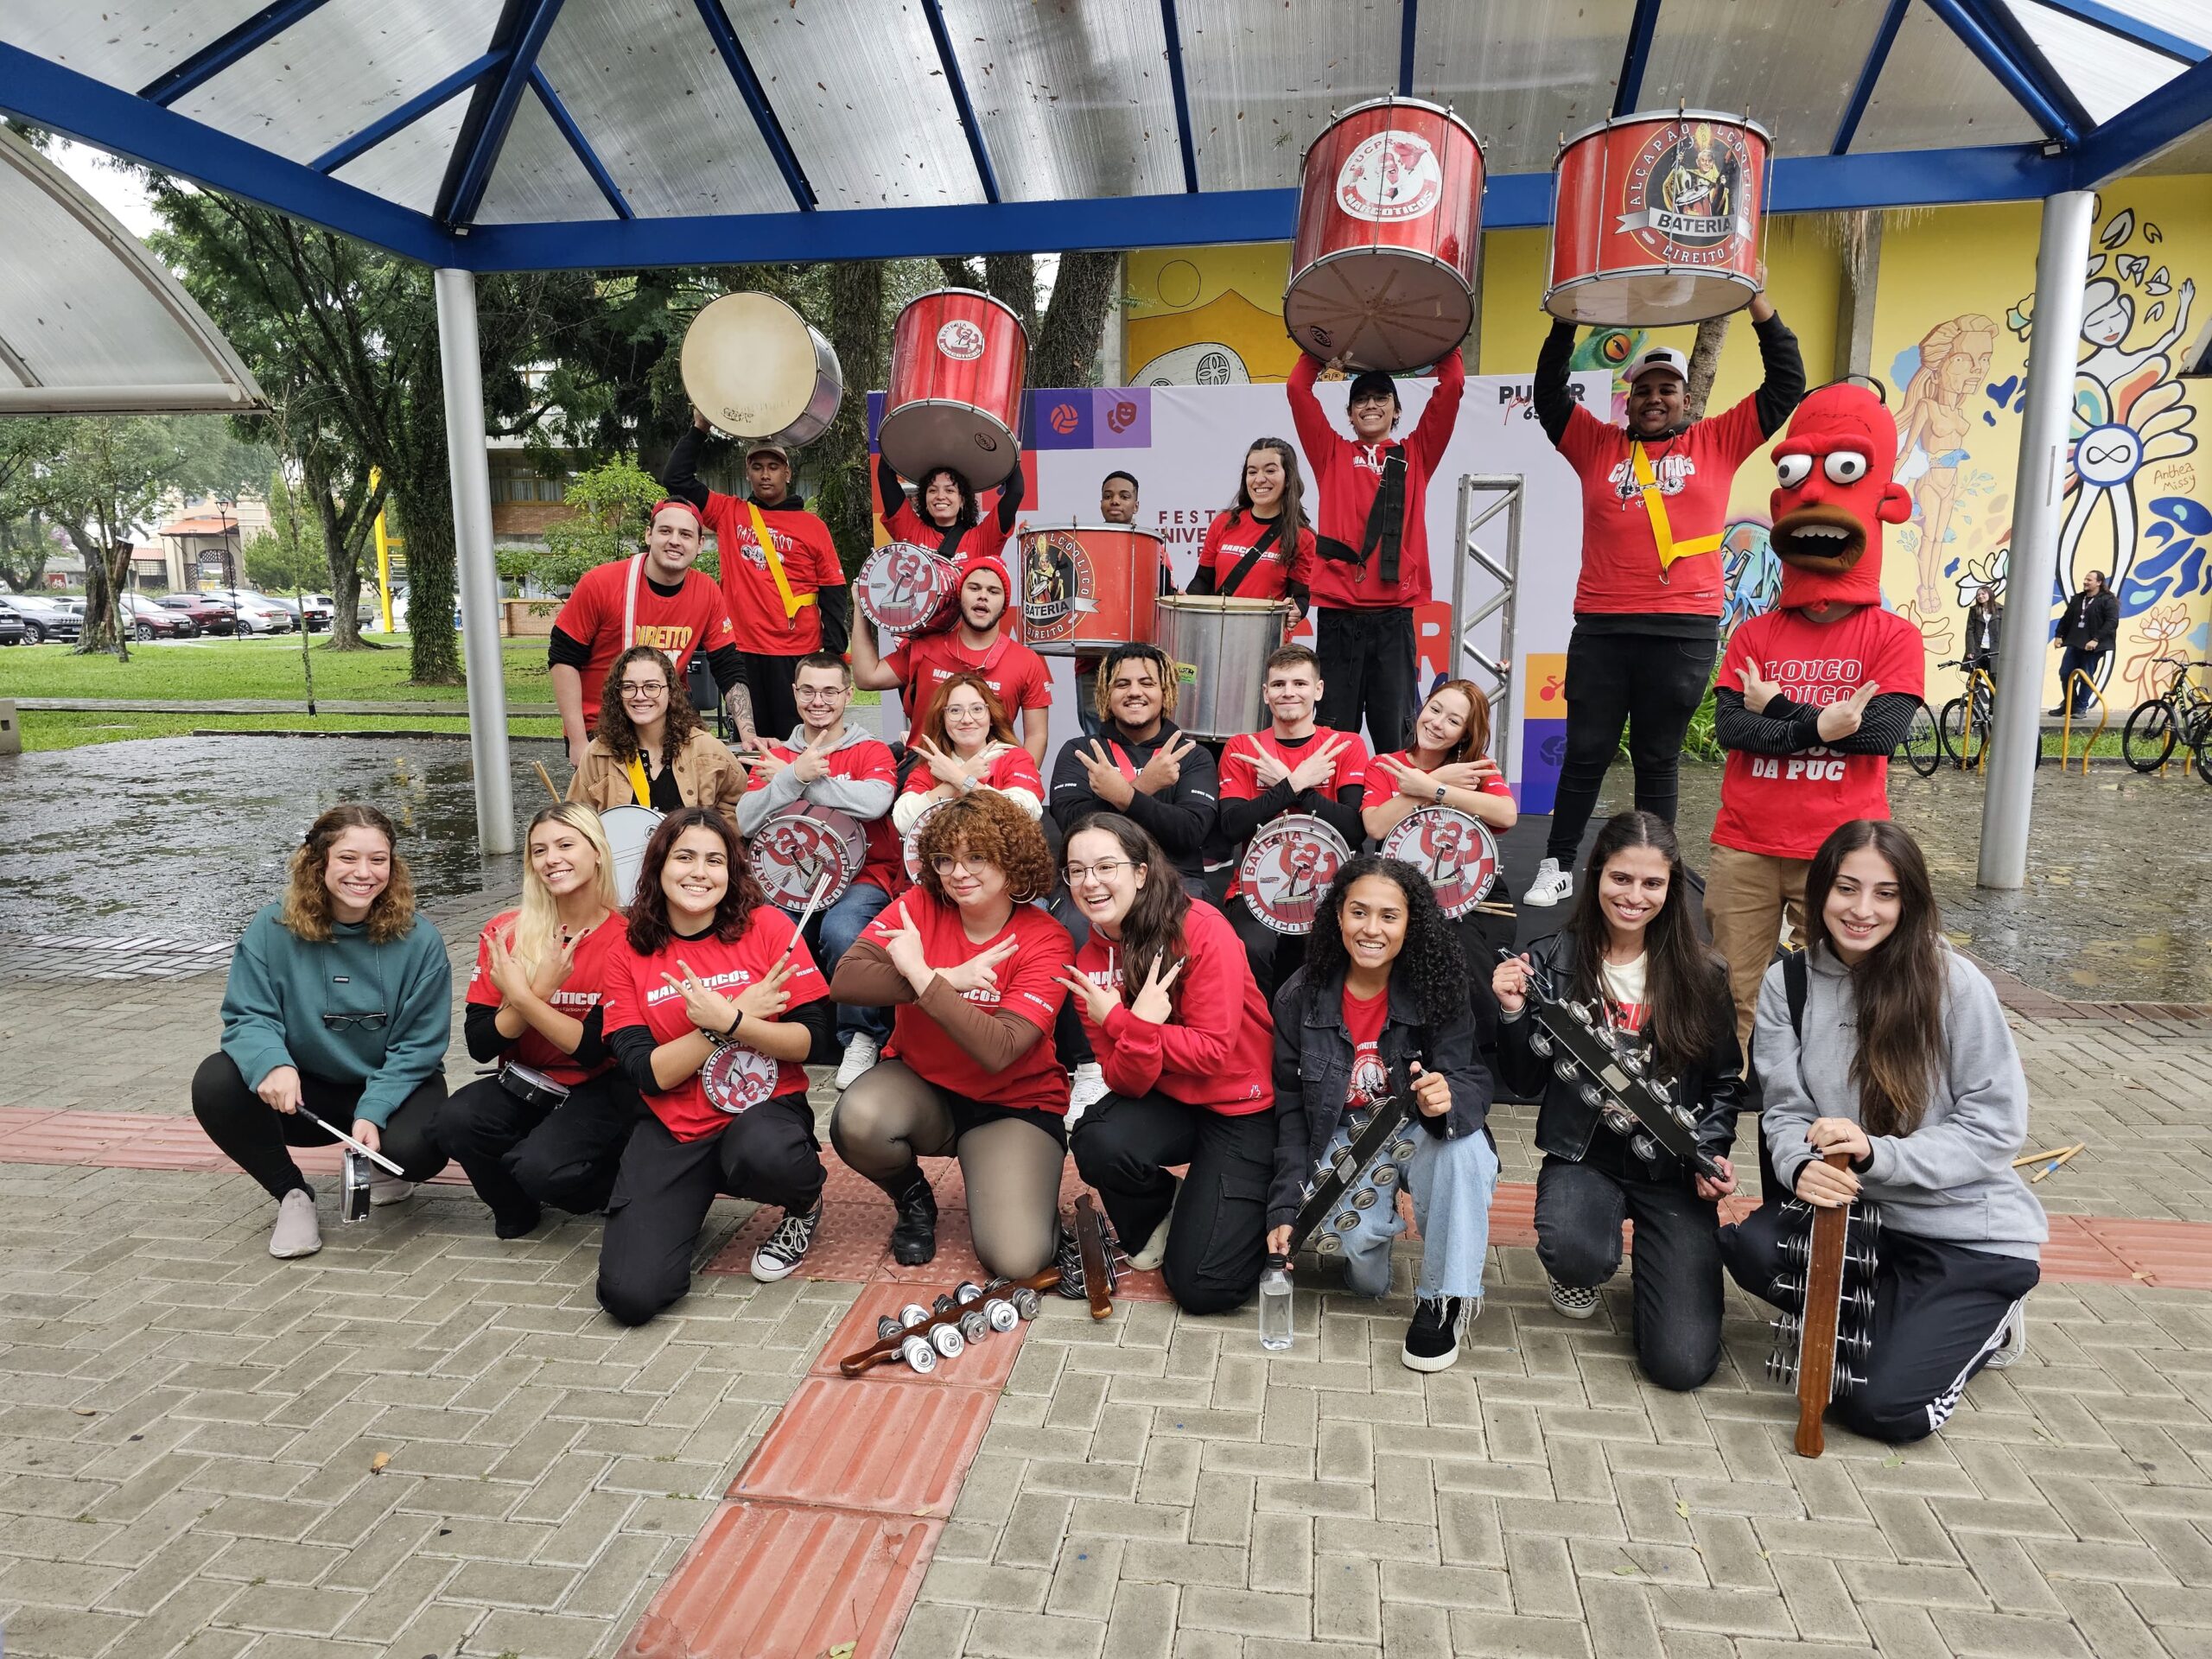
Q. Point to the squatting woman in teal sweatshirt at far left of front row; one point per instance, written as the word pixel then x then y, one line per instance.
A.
pixel 340 1001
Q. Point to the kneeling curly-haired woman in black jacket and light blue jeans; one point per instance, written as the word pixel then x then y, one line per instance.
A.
pixel 1381 1010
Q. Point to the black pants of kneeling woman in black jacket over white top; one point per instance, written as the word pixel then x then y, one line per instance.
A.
pixel 1676 1271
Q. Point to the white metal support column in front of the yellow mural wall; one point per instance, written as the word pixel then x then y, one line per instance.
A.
pixel 2025 649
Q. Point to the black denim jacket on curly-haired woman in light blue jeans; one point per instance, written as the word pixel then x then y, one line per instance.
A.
pixel 1313 1070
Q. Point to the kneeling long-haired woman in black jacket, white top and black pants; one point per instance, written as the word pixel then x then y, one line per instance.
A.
pixel 1634 952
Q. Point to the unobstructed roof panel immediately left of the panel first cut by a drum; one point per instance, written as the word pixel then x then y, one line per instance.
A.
pixel 1072 101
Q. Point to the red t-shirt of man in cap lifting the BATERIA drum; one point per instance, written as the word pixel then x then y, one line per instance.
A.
pixel 1620 559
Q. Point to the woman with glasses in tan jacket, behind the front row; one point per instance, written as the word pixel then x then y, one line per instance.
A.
pixel 651 749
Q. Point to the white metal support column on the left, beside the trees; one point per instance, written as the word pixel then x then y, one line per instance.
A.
pixel 472 552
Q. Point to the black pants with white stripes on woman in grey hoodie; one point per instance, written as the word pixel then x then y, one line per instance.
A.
pixel 1939 1315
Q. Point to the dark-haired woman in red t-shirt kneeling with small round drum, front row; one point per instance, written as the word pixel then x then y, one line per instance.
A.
pixel 713 1014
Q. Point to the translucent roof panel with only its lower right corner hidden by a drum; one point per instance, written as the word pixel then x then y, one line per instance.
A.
pixel 1264 79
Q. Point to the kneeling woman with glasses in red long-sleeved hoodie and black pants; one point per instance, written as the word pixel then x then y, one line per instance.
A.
pixel 1187 1043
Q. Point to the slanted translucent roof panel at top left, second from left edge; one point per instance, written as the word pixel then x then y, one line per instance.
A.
pixel 337 70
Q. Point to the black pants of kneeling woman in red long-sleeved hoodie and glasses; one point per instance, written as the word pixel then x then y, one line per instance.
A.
pixel 1218 1246
